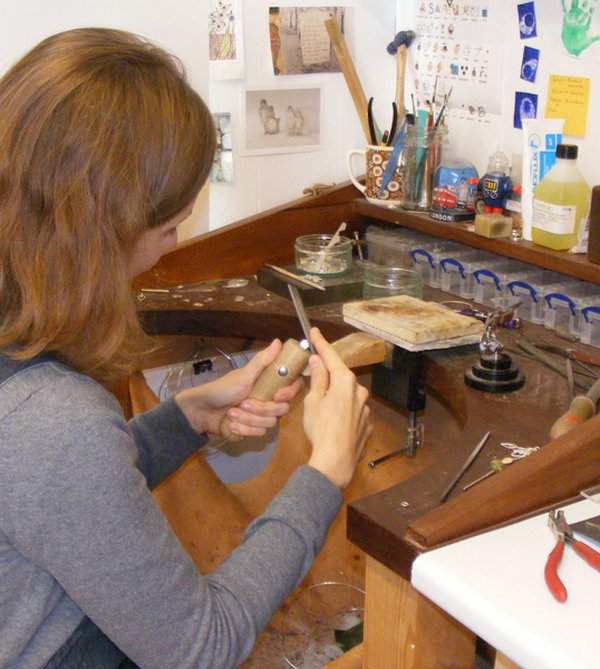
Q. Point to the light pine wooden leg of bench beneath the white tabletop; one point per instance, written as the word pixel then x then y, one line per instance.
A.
pixel 404 630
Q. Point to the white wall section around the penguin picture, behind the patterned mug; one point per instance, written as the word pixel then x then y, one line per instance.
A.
pixel 262 182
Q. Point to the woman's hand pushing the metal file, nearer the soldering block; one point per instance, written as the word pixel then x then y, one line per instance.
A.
pixel 336 415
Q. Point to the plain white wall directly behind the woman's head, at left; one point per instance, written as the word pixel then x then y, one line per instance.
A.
pixel 179 26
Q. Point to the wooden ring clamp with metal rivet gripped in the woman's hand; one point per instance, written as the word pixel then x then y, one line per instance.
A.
pixel 285 369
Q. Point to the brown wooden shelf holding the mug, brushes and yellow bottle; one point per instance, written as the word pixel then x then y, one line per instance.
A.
pixel 576 266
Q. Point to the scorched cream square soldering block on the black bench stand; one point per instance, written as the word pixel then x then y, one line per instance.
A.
pixel 411 319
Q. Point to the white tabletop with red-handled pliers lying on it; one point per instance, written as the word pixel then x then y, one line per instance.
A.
pixel 494 585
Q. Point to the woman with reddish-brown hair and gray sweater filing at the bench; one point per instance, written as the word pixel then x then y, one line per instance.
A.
pixel 103 149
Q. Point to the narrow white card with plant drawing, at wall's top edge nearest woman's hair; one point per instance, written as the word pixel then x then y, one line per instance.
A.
pixel 225 38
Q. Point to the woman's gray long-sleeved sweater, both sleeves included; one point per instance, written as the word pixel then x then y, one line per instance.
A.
pixel 81 534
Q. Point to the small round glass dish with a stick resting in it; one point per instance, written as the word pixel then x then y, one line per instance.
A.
pixel 315 255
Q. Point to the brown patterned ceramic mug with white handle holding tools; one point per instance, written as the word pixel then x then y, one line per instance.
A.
pixel 376 158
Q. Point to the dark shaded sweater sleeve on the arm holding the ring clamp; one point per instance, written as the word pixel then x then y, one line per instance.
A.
pixel 164 440
